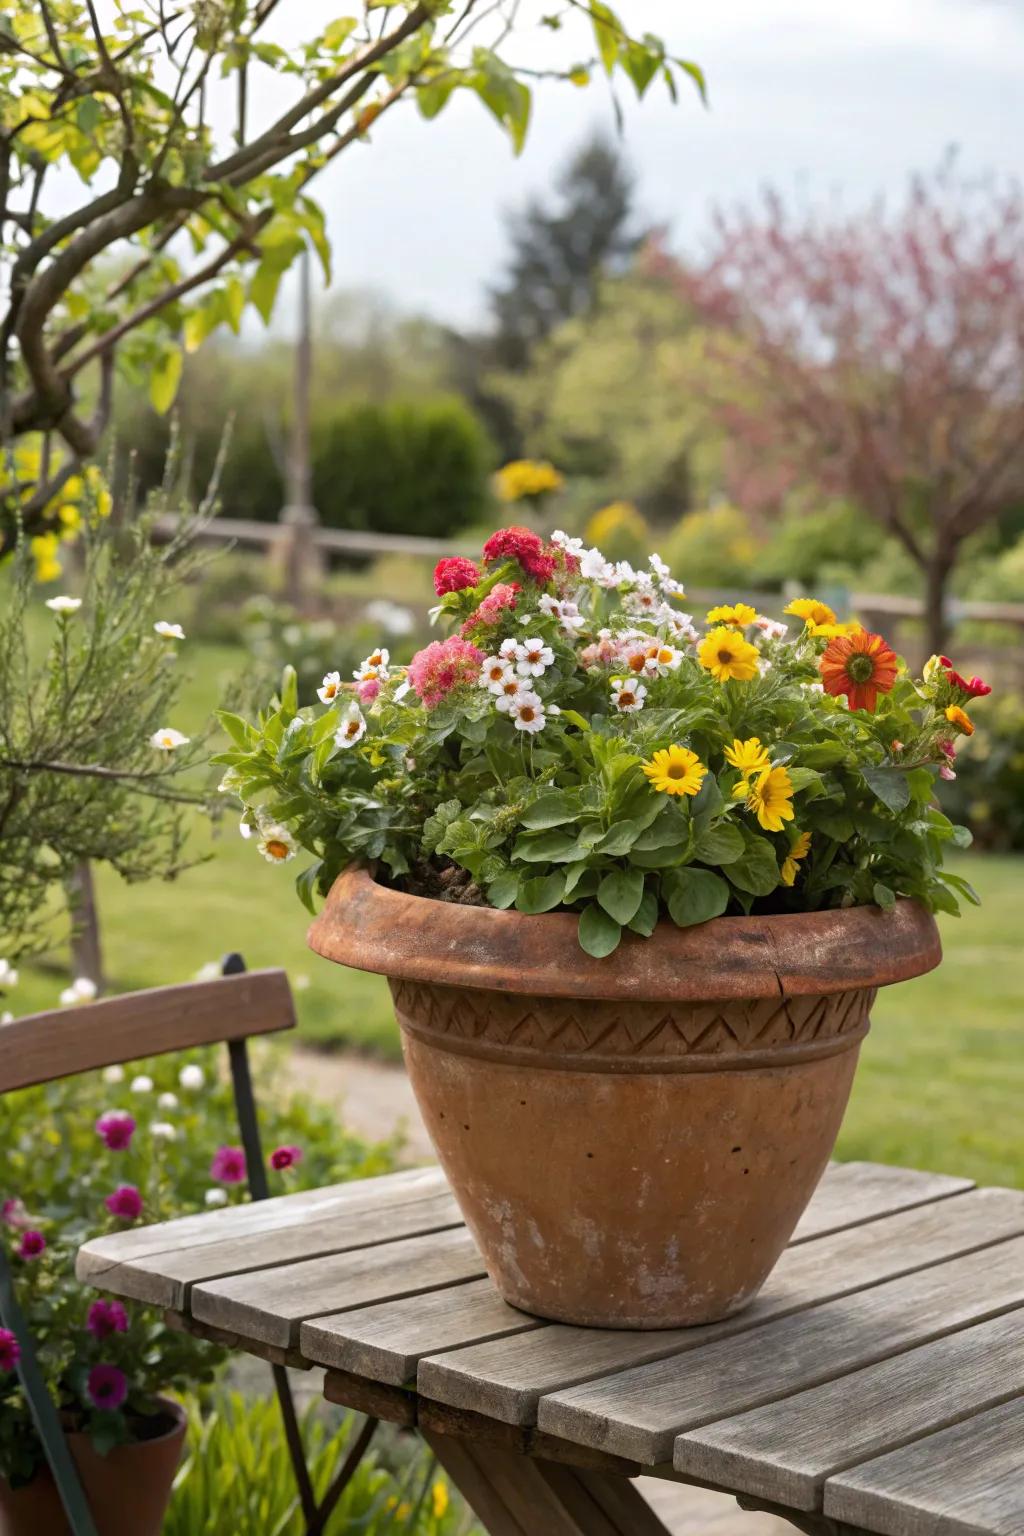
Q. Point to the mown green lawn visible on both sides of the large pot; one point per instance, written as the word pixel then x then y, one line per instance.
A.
pixel 942 1076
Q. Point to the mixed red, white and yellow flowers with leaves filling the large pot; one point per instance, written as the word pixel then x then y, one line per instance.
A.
pixel 580 743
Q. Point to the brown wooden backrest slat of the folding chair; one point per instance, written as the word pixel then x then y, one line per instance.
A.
pixel 41 1048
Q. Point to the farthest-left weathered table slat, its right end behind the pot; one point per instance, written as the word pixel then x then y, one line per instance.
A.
pixel 159 1263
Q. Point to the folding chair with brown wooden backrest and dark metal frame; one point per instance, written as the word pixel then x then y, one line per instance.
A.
pixel 44 1048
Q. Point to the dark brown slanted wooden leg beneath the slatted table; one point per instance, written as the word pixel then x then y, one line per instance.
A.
pixel 517 1495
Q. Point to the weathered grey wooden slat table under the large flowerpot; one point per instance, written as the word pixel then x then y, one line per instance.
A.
pixel 877 1385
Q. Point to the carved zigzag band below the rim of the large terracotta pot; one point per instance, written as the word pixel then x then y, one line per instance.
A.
pixel 566 1027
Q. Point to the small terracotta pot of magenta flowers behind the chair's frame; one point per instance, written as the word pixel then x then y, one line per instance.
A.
pixel 128 1491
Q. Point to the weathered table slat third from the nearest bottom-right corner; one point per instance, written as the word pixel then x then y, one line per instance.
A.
pixel 641 1412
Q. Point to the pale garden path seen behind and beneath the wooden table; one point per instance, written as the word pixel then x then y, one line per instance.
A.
pixel 377 1102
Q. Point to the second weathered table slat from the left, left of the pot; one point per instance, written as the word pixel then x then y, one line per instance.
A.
pixel 273 1303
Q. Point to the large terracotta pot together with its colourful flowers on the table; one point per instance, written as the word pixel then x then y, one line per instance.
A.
pixel 635 882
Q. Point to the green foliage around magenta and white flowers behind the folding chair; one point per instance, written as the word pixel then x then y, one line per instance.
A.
pixel 59 1171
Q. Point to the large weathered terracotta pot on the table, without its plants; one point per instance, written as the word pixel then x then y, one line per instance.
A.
pixel 632 1140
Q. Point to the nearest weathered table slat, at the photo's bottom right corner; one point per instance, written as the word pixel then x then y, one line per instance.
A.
pixel 965 1481
